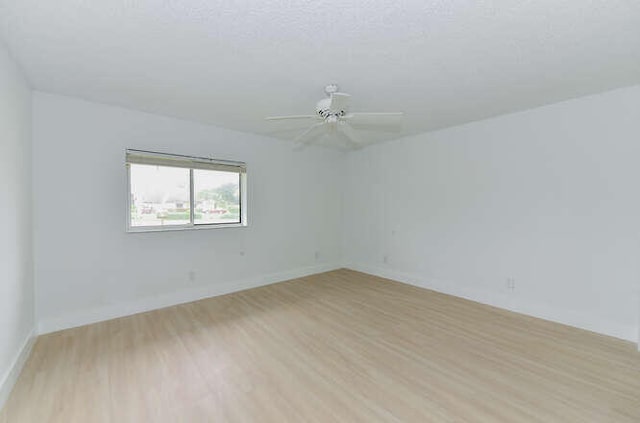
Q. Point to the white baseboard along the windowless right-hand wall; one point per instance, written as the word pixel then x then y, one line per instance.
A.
pixel 570 318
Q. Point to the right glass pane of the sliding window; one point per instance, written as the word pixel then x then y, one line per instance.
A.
pixel 217 196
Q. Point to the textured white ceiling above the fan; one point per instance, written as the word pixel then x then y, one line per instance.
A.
pixel 233 62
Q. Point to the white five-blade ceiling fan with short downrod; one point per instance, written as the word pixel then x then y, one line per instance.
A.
pixel 333 115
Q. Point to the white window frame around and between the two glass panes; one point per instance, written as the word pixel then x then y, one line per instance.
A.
pixel 133 156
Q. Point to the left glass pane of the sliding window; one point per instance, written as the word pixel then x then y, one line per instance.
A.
pixel 159 195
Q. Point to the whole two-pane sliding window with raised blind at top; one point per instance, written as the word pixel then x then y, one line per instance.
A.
pixel 180 192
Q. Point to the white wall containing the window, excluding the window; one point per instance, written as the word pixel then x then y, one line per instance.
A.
pixel 88 268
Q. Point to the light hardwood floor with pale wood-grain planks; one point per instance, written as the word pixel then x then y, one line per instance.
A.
pixel 339 346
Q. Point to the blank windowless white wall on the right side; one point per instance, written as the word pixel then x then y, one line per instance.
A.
pixel 549 197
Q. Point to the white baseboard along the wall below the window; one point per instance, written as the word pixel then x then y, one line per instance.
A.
pixel 113 311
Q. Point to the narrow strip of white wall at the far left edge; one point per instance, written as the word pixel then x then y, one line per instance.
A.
pixel 16 265
